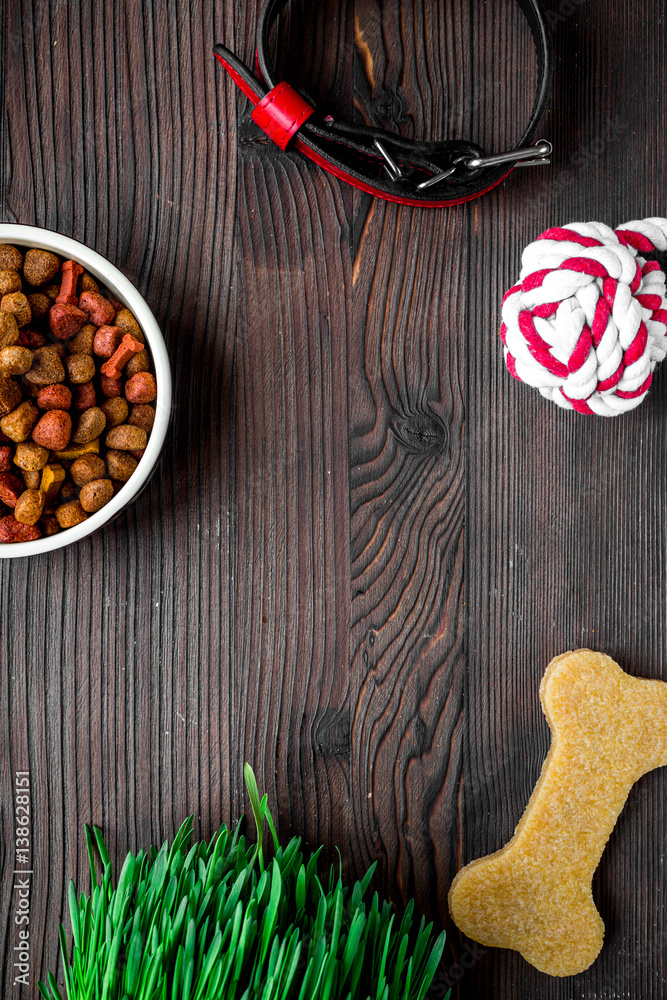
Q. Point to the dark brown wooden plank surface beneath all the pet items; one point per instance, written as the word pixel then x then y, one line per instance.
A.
pixel 365 541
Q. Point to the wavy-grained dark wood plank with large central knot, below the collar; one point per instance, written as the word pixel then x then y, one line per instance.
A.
pixel 407 549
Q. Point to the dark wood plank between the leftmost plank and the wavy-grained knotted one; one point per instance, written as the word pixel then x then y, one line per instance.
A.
pixel 291 577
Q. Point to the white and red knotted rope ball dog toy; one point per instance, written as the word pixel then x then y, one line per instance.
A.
pixel 587 322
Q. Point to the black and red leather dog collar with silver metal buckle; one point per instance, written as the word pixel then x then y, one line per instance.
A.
pixel 379 162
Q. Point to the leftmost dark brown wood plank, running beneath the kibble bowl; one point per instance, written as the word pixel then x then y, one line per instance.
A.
pixel 115 655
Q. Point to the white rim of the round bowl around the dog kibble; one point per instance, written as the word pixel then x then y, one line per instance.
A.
pixel 121 289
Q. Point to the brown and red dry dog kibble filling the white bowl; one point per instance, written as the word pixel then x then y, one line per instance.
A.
pixel 77 395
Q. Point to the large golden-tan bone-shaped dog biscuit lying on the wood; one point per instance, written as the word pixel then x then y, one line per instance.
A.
pixel 535 894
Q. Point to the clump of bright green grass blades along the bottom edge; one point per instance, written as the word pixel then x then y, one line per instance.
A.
pixel 223 921
